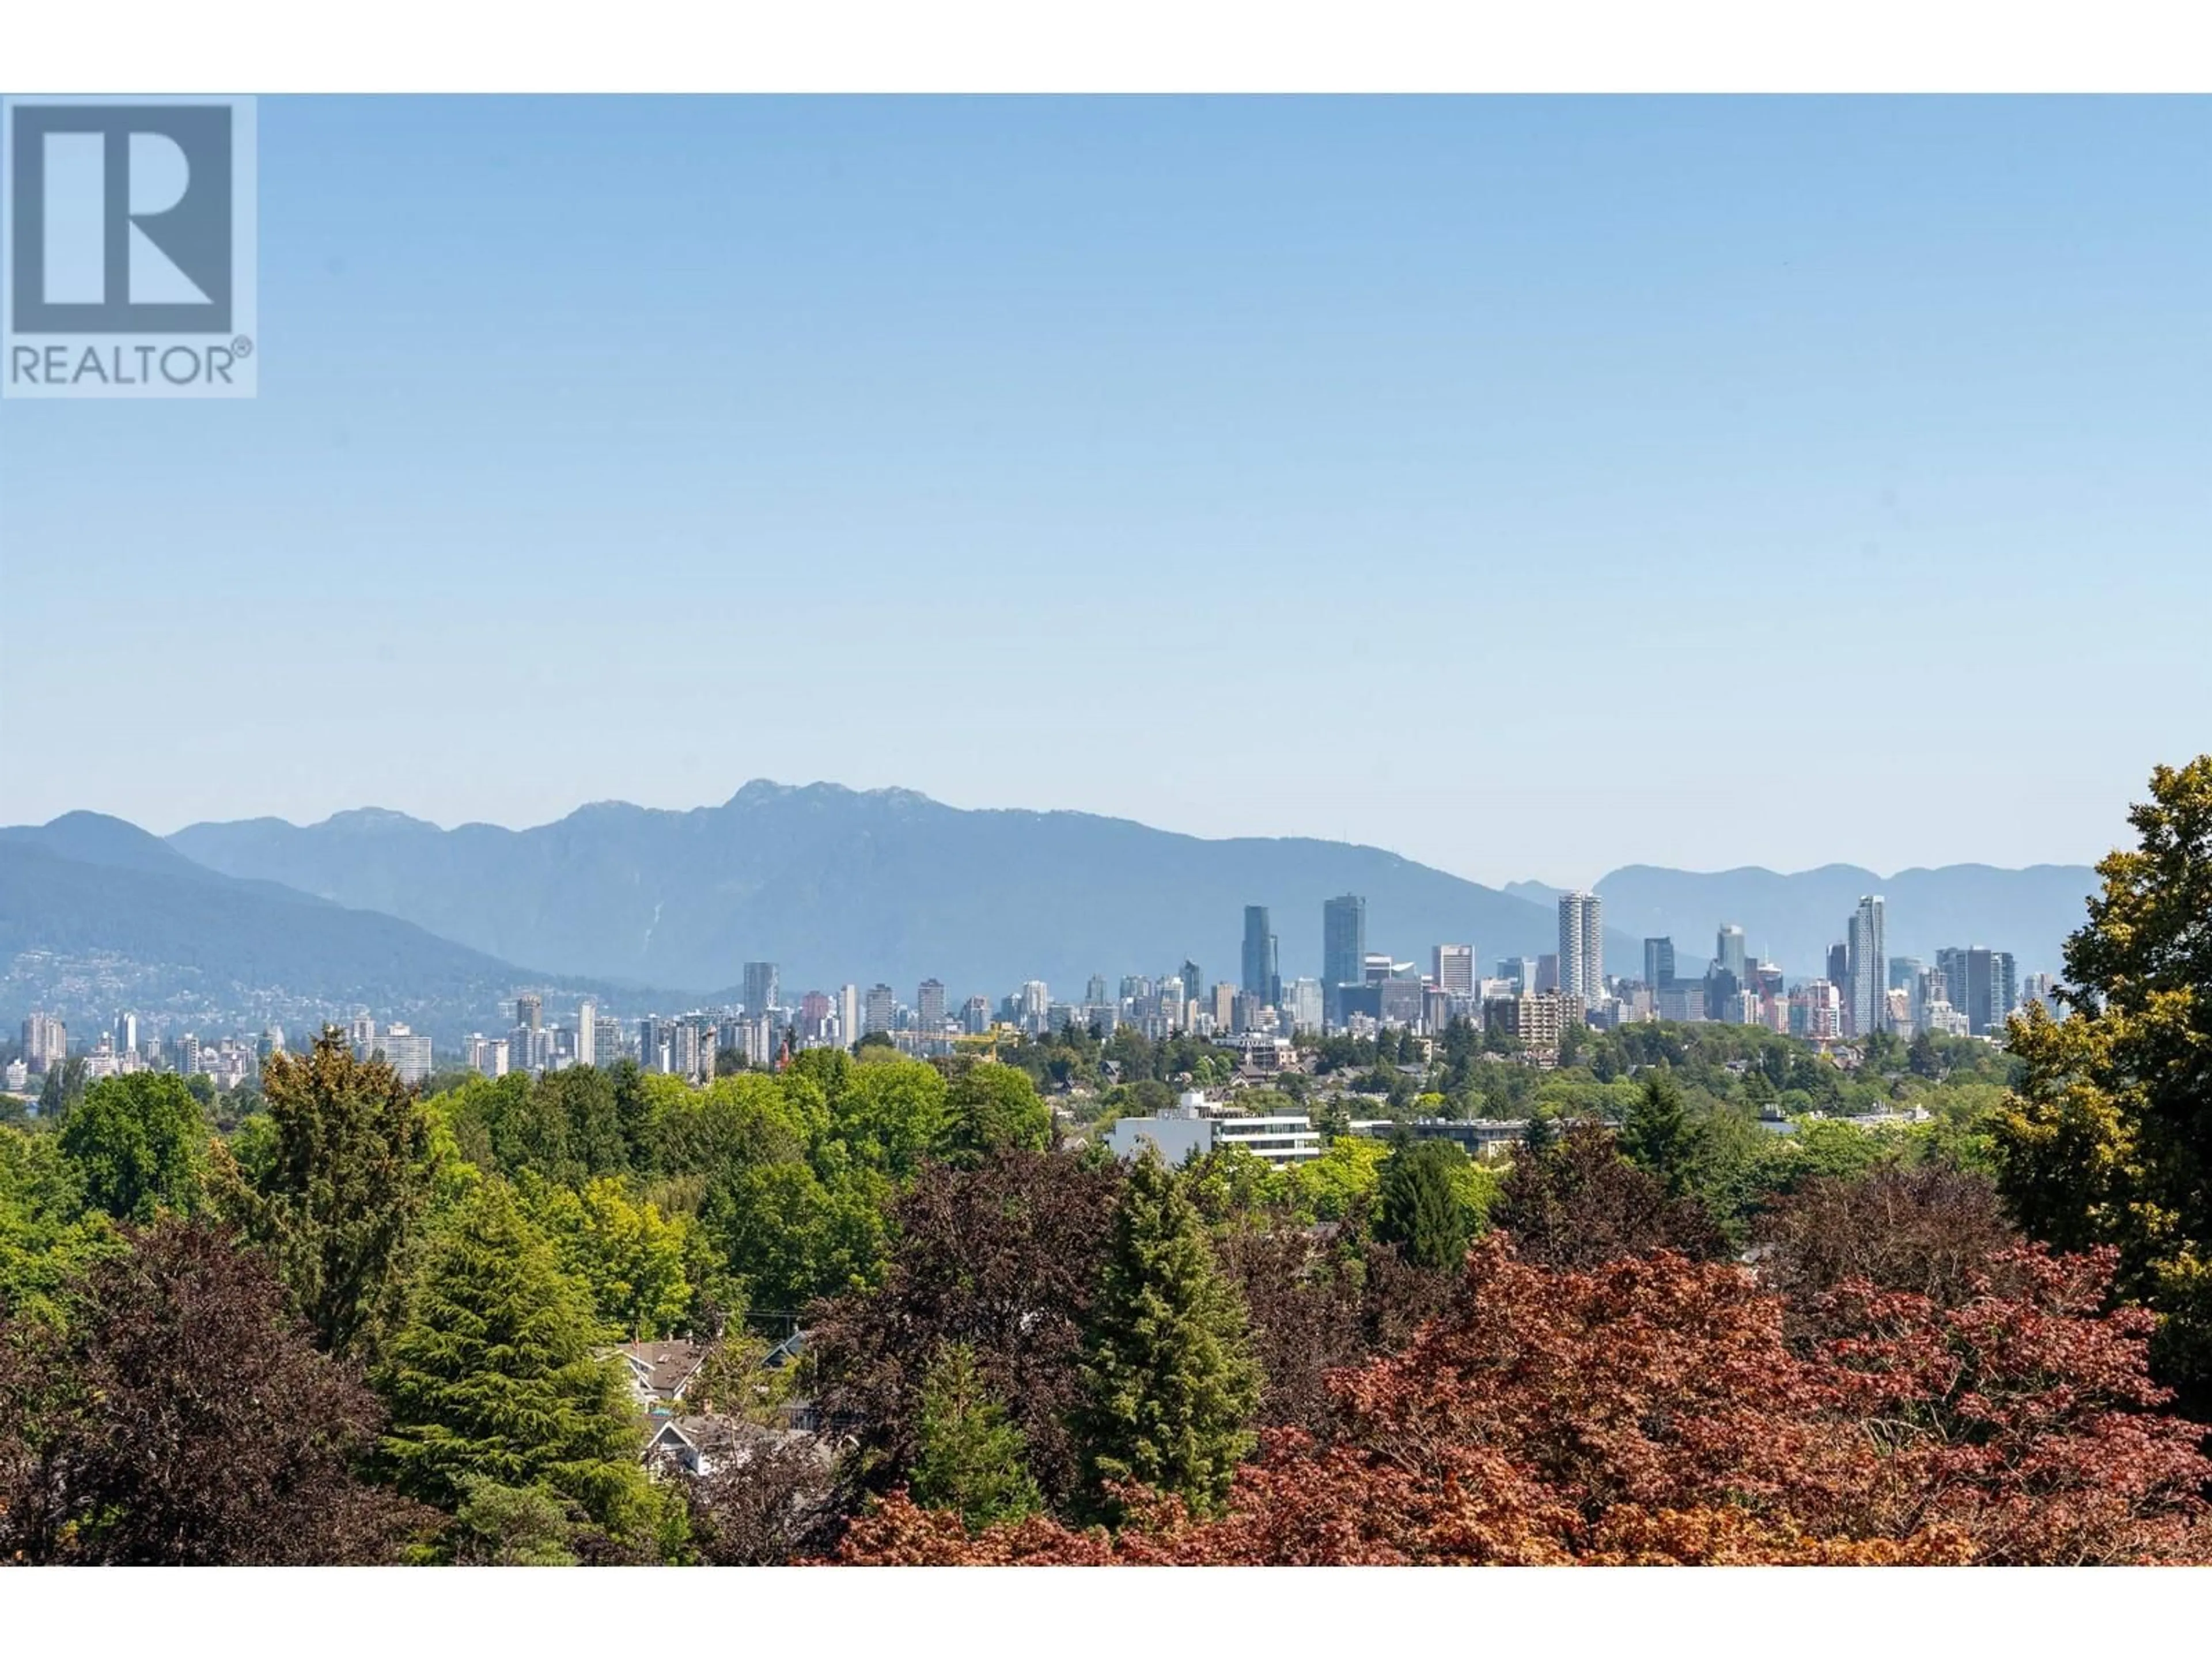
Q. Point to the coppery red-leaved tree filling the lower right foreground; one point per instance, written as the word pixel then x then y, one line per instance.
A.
pixel 1656 1410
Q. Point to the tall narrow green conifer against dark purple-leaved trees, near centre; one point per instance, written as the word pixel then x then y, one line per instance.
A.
pixel 1169 1377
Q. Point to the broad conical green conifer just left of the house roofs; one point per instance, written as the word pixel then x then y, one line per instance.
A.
pixel 499 1375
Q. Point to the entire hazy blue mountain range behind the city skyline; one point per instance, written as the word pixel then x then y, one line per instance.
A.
pixel 435 926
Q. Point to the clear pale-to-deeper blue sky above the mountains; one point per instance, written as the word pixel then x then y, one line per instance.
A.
pixel 1525 486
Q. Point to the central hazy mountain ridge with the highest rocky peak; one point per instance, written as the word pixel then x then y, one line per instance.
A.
pixel 835 886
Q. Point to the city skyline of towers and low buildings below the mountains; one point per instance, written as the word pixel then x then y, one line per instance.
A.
pixel 1864 994
